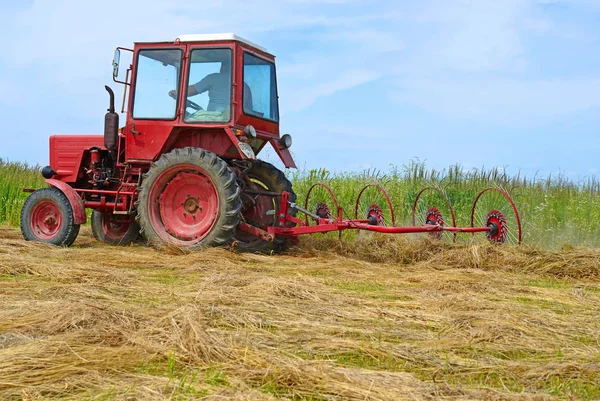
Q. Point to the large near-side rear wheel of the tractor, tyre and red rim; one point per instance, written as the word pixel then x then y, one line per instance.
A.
pixel 189 198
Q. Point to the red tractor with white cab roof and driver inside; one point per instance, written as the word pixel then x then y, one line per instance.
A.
pixel 183 168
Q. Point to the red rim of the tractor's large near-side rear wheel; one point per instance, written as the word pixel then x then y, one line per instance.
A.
pixel 183 204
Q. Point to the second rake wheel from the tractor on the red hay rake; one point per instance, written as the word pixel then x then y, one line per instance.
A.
pixel 373 204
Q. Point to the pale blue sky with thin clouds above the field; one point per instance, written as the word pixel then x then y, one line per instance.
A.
pixel 363 84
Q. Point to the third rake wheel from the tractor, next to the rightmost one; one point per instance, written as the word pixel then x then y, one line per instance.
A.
pixel 432 207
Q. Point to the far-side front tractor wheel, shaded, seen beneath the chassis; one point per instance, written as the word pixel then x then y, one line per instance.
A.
pixel 114 229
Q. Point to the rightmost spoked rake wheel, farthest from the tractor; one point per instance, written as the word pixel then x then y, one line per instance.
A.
pixel 494 208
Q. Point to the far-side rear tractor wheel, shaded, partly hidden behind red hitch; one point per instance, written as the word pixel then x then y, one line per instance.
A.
pixel 262 210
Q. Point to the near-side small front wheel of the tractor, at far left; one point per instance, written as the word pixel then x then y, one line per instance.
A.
pixel 47 216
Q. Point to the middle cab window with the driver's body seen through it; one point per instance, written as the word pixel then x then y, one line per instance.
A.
pixel 209 86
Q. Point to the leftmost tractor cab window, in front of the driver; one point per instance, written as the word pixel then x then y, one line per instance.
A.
pixel 157 74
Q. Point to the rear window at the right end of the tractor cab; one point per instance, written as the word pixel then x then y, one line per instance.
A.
pixel 260 88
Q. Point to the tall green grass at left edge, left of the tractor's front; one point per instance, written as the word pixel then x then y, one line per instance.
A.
pixel 15 176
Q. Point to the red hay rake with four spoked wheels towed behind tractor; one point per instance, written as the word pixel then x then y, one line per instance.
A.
pixel 493 213
